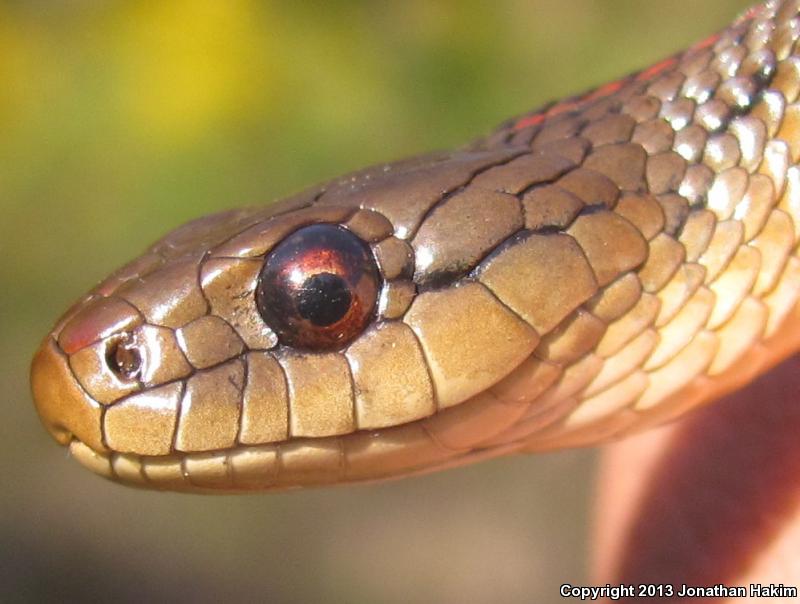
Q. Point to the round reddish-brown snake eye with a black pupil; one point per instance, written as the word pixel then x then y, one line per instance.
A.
pixel 318 287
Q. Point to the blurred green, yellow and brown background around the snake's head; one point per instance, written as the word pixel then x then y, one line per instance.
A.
pixel 120 120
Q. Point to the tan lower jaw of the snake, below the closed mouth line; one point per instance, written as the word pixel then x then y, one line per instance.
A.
pixel 281 467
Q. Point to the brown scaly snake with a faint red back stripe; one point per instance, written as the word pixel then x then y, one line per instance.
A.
pixel 596 267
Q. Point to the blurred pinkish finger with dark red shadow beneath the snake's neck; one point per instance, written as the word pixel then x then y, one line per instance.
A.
pixel 714 499
